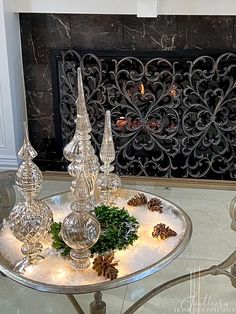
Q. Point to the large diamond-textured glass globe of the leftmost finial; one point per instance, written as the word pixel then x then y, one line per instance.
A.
pixel 30 222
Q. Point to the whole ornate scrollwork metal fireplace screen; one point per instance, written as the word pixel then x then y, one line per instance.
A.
pixel 171 118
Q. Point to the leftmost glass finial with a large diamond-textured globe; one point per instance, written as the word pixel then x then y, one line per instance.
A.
pixel 29 220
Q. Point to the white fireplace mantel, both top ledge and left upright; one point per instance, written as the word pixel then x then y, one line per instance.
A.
pixel 12 98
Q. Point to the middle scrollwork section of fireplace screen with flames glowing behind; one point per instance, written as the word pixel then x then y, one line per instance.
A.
pixel 147 144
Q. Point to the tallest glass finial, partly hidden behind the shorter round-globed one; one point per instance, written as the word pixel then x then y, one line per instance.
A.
pixel 80 147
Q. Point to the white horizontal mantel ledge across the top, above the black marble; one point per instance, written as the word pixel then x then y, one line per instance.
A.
pixel 145 8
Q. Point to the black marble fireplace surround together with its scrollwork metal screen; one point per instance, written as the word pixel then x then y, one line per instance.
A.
pixel 178 118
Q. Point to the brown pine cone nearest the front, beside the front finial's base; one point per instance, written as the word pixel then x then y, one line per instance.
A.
pixel 104 265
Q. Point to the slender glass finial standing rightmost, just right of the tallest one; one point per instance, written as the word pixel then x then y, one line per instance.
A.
pixel 107 181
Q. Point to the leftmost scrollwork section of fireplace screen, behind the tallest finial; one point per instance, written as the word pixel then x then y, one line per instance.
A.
pixel 93 85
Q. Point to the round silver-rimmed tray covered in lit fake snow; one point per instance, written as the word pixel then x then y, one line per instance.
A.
pixel 147 256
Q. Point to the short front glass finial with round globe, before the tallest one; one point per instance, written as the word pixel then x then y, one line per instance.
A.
pixel 80 229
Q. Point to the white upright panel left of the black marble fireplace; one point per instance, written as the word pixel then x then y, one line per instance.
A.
pixel 12 100
